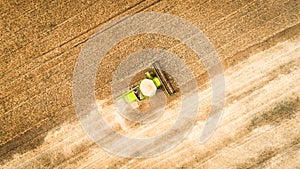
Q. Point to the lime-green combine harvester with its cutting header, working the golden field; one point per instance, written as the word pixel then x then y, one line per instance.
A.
pixel 147 87
